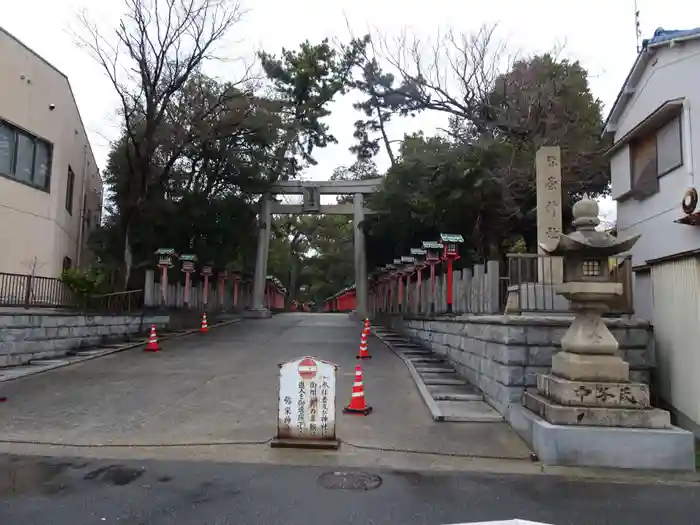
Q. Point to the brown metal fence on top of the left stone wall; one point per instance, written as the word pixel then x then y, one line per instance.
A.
pixel 32 291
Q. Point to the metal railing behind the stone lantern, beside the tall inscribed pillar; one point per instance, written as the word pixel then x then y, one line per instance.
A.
pixel 527 285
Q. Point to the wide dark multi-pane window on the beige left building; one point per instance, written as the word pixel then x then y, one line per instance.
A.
pixel 24 157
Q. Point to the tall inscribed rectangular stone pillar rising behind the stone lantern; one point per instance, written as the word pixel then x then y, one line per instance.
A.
pixel 549 219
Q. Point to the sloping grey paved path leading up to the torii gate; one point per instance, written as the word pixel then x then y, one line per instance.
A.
pixel 222 387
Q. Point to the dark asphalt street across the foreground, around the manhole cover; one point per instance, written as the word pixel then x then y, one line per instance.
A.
pixel 72 491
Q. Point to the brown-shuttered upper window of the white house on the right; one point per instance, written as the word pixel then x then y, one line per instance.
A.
pixel 654 155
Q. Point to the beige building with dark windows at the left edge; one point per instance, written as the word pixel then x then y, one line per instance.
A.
pixel 50 188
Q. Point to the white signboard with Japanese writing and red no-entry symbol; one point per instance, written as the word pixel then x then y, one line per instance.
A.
pixel 307 400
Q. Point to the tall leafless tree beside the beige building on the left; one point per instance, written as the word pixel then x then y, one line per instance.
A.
pixel 158 46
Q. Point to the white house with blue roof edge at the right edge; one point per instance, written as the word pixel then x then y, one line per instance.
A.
pixel 655 123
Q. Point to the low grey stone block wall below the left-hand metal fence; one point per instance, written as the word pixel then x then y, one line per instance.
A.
pixel 26 337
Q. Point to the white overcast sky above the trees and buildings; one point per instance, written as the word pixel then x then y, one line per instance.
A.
pixel 600 33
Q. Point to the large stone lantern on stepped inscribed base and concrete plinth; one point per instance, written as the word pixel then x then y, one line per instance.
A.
pixel 587 411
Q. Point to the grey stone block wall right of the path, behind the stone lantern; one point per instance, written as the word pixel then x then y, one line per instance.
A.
pixel 502 354
